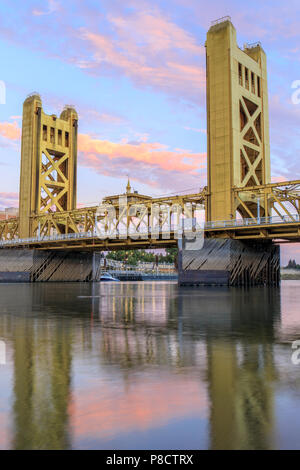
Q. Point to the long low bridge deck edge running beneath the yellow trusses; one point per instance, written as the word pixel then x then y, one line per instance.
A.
pixel 283 229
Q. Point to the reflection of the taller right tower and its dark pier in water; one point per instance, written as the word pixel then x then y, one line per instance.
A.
pixel 239 328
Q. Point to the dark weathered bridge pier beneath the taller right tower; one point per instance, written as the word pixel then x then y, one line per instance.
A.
pixel 229 262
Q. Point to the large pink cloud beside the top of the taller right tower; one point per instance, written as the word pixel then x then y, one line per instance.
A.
pixel 150 50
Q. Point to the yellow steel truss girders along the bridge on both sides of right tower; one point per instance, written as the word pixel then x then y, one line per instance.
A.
pixel 155 213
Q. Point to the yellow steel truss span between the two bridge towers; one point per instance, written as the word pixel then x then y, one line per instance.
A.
pixel 127 216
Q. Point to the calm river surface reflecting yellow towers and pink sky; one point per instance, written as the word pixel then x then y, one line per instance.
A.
pixel 149 366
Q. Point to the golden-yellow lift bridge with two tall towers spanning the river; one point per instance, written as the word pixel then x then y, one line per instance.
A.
pixel 246 215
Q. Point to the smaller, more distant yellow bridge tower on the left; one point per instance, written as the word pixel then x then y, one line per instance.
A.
pixel 48 162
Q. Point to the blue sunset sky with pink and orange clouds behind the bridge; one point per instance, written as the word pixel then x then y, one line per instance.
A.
pixel 135 72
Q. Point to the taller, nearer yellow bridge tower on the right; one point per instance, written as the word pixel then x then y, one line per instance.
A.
pixel 237 123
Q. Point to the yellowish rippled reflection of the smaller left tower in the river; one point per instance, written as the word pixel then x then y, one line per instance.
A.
pixel 42 364
